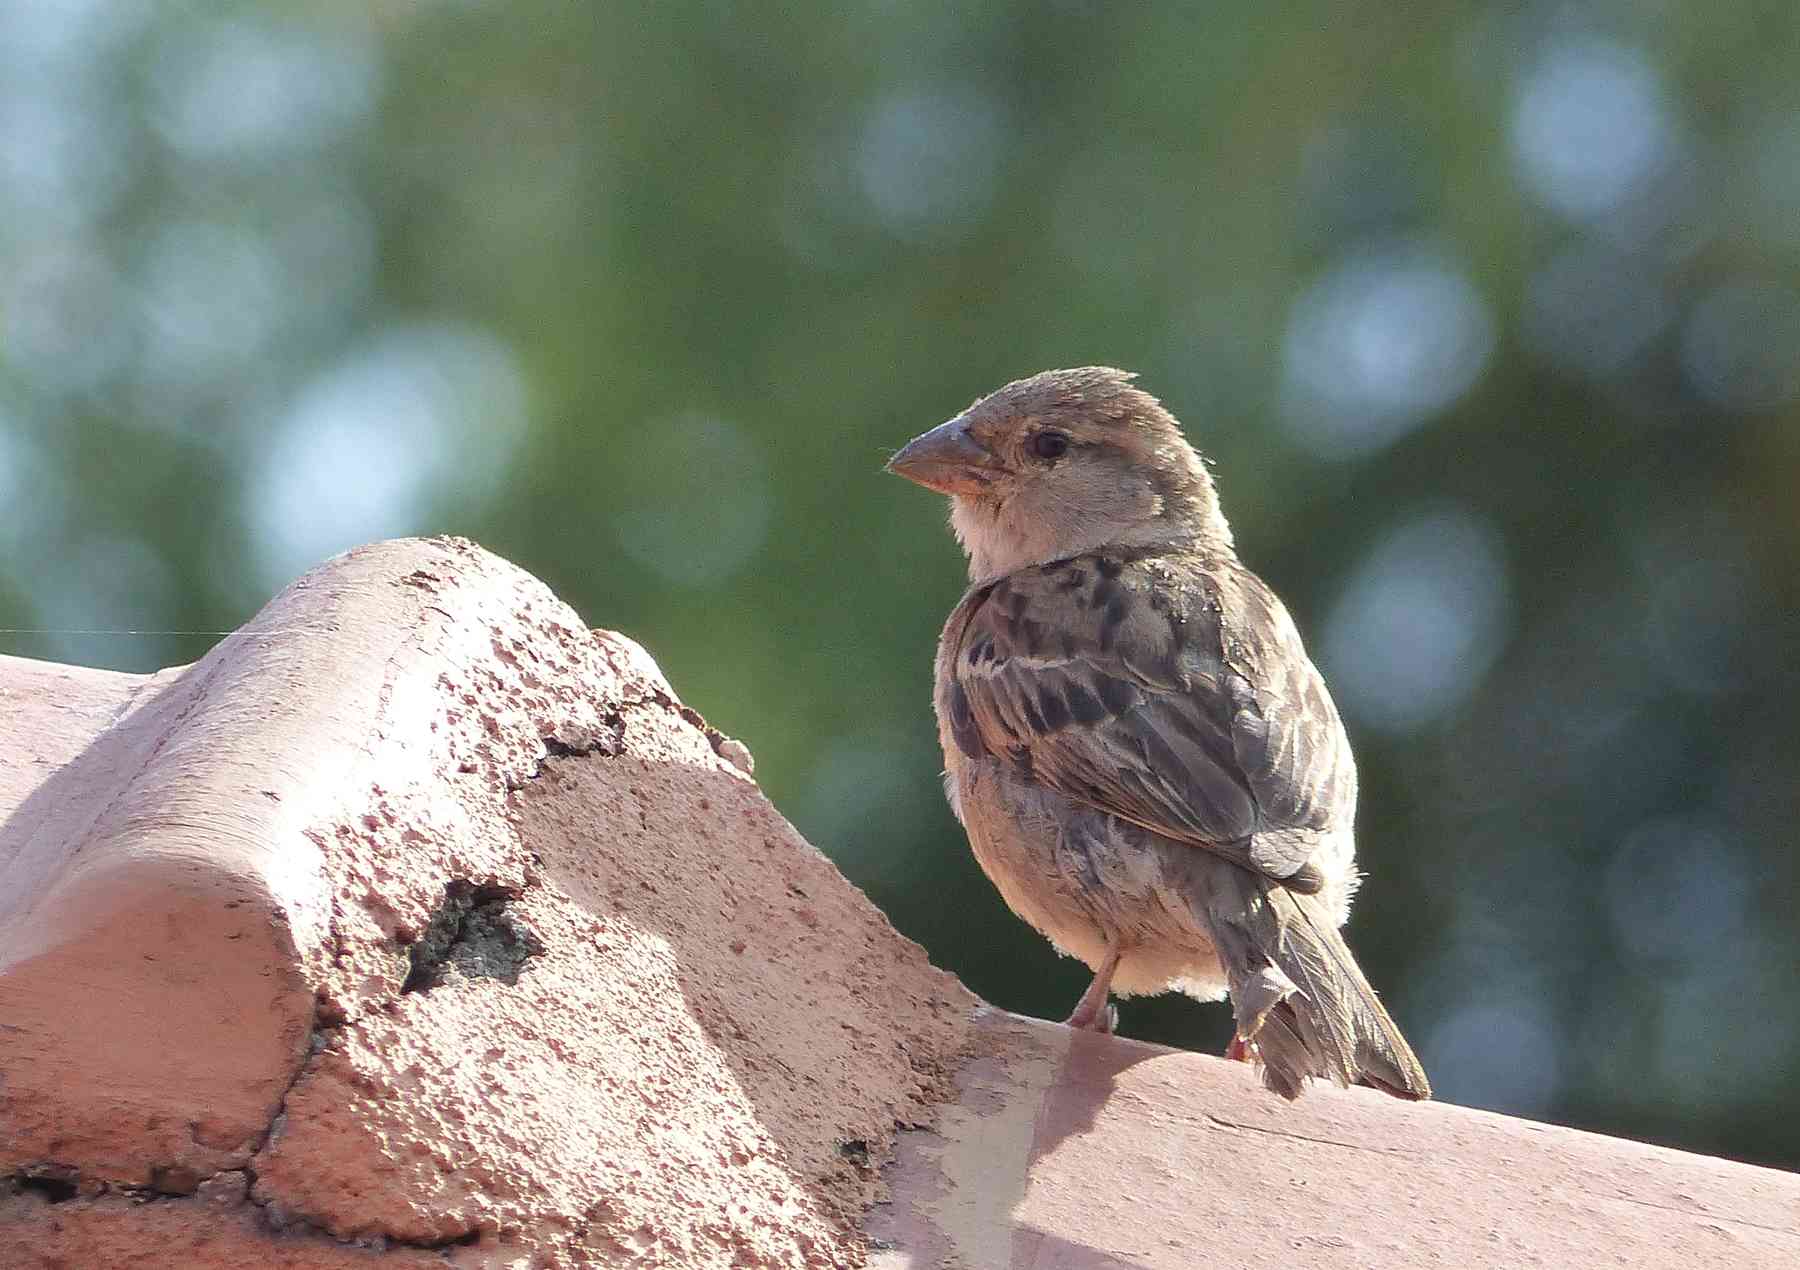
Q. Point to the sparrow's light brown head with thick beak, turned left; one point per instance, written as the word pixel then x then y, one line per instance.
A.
pixel 1065 463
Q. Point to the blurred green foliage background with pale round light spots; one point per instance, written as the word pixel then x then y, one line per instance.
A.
pixel 1488 317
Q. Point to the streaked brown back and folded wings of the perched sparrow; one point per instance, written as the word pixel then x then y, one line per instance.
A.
pixel 1167 692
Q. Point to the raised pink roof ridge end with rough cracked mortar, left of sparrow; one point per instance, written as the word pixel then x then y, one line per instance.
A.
pixel 420 926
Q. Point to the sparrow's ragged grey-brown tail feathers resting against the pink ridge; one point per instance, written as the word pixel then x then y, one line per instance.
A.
pixel 1302 1003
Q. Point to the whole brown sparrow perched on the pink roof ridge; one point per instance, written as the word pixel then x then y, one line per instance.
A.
pixel 1142 755
